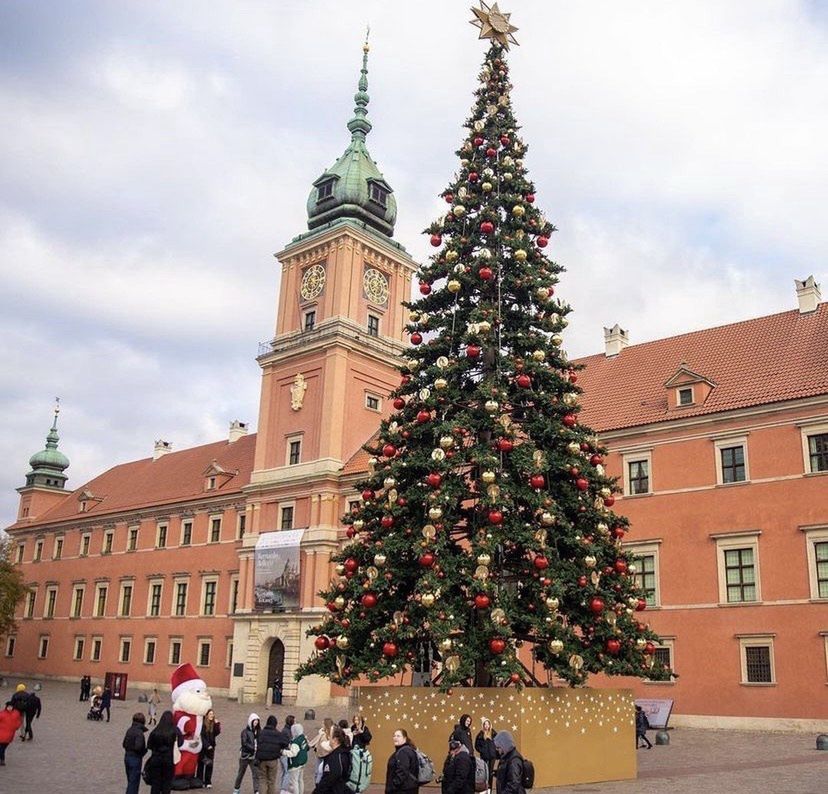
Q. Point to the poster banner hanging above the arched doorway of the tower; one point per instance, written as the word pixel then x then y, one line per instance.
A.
pixel 276 558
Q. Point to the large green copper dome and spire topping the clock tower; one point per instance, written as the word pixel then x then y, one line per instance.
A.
pixel 353 187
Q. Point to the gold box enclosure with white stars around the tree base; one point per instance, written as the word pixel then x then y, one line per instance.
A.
pixel 571 735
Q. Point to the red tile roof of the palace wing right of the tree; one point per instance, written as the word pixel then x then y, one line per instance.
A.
pixel 755 362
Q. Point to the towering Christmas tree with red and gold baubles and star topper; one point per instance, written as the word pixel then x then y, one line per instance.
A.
pixel 485 523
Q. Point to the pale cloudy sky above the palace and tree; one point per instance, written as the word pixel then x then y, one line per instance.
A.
pixel 155 154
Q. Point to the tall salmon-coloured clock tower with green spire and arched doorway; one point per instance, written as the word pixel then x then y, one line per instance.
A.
pixel 326 376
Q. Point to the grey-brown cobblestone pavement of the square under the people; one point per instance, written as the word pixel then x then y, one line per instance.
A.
pixel 72 754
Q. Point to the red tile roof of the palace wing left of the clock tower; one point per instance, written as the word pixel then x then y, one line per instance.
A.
pixel 174 477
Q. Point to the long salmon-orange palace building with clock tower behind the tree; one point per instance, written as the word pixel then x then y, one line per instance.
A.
pixel 215 554
